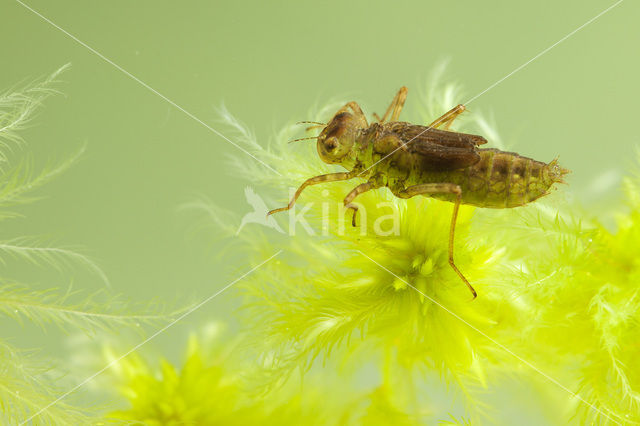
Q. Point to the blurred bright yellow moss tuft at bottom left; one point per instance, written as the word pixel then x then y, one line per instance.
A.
pixel 201 392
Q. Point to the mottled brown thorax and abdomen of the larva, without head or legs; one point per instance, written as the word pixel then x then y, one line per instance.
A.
pixel 498 179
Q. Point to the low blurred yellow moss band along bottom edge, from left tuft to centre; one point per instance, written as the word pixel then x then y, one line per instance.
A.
pixel 208 389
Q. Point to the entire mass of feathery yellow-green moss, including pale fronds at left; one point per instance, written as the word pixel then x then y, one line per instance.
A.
pixel 347 325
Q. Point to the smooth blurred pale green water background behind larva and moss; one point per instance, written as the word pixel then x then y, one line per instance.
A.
pixel 269 62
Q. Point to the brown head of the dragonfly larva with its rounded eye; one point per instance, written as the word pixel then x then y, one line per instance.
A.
pixel 336 141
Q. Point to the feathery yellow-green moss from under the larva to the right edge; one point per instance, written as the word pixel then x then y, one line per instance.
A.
pixel 557 303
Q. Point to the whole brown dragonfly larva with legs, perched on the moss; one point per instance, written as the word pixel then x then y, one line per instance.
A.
pixel 415 160
